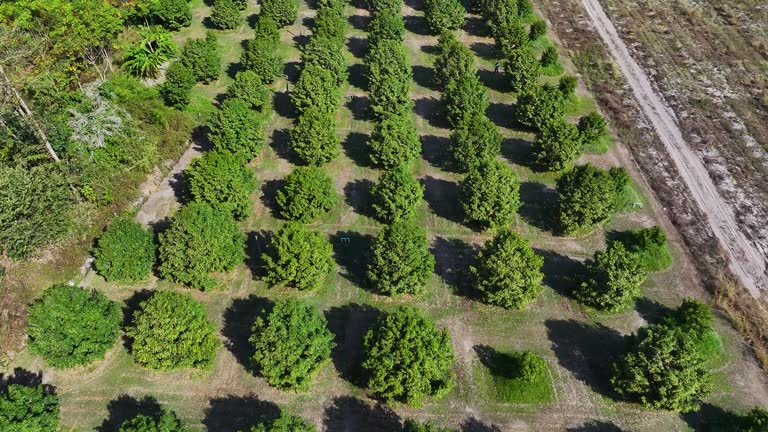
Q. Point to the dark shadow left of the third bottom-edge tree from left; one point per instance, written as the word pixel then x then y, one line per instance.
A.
pixel 238 413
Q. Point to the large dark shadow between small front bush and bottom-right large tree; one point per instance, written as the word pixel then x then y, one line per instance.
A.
pixel 587 351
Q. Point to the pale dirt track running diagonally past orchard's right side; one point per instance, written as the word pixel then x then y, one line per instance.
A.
pixel 747 259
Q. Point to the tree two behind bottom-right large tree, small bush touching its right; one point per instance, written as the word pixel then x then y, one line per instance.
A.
pixel 589 196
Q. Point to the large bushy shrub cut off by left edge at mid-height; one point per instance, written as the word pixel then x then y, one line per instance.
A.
pixel 34 210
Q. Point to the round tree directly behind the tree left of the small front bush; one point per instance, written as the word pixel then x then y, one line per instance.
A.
pixel 400 259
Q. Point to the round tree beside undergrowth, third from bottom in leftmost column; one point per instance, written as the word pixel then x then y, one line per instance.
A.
pixel 125 251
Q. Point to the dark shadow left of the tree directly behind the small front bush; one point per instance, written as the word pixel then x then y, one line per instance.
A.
pixel 453 256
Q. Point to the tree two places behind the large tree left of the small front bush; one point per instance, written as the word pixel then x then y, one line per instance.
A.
pixel 396 195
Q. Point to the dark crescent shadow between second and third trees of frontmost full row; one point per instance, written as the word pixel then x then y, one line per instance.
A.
pixel 238 320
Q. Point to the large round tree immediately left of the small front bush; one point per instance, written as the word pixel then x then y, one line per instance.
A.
pixel 407 358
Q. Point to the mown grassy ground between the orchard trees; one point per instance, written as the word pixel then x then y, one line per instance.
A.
pixel 577 344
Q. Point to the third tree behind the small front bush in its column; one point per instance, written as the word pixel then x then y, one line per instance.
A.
pixel 475 139
